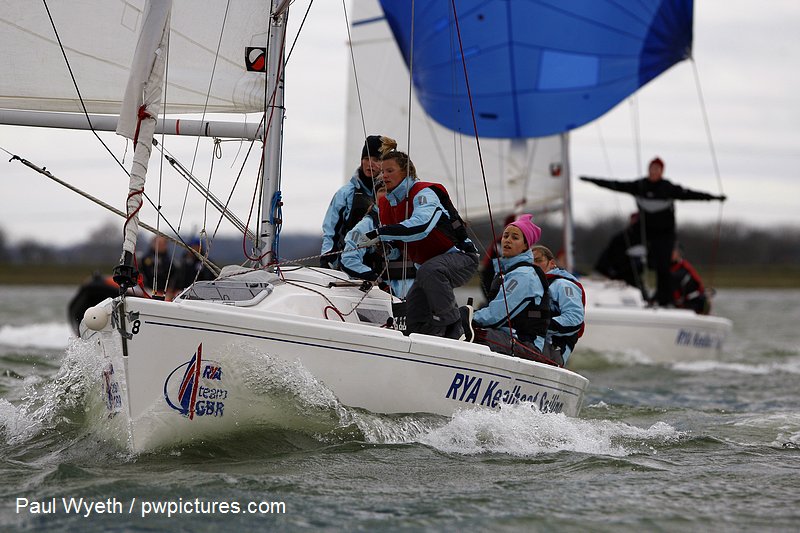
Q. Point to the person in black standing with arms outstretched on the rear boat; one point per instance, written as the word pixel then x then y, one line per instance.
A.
pixel 655 198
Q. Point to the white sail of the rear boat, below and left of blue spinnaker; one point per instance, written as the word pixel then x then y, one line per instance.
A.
pixel 519 172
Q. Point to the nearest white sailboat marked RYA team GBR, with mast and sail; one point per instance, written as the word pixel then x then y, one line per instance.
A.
pixel 182 370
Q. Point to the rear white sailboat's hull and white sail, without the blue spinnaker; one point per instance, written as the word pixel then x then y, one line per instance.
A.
pixel 525 174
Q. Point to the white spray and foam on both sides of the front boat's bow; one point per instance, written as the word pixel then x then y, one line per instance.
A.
pixel 298 411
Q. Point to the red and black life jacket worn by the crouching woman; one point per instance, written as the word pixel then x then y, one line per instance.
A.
pixel 437 242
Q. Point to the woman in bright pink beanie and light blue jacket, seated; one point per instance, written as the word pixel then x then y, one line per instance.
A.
pixel 518 297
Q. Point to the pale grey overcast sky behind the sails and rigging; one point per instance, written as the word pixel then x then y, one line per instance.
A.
pixel 747 56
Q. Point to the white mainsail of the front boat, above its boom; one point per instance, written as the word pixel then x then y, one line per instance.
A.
pixel 42 82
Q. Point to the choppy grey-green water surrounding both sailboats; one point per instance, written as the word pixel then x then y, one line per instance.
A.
pixel 707 445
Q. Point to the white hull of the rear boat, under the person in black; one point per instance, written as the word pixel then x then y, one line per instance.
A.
pixel 617 320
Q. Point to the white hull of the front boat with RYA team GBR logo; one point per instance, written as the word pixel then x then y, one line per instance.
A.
pixel 164 398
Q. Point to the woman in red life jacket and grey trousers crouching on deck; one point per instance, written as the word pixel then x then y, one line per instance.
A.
pixel 421 216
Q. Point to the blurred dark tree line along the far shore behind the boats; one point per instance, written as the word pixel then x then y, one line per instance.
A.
pixel 733 245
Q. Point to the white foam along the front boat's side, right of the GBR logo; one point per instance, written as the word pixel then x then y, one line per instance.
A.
pixel 520 430
